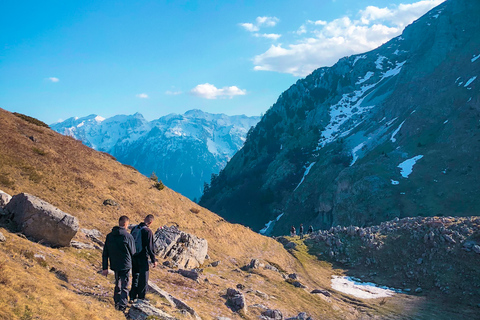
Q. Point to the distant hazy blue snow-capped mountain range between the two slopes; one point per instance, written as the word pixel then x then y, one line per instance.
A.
pixel 183 150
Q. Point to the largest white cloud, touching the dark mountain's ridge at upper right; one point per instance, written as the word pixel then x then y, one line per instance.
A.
pixel 341 37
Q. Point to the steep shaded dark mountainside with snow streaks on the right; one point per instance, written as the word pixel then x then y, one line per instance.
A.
pixel 394 132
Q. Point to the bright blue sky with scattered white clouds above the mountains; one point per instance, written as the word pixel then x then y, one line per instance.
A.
pixel 60 59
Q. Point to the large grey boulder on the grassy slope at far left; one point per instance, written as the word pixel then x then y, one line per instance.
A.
pixel 41 220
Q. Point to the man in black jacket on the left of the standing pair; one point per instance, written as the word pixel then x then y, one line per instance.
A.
pixel 119 248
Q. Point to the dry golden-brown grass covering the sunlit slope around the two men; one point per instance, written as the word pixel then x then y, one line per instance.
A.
pixel 77 180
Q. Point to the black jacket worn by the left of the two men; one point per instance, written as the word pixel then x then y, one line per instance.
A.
pixel 119 248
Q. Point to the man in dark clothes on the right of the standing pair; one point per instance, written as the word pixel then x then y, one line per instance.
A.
pixel 145 249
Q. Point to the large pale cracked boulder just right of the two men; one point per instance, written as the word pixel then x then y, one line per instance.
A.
pixel 186 250
